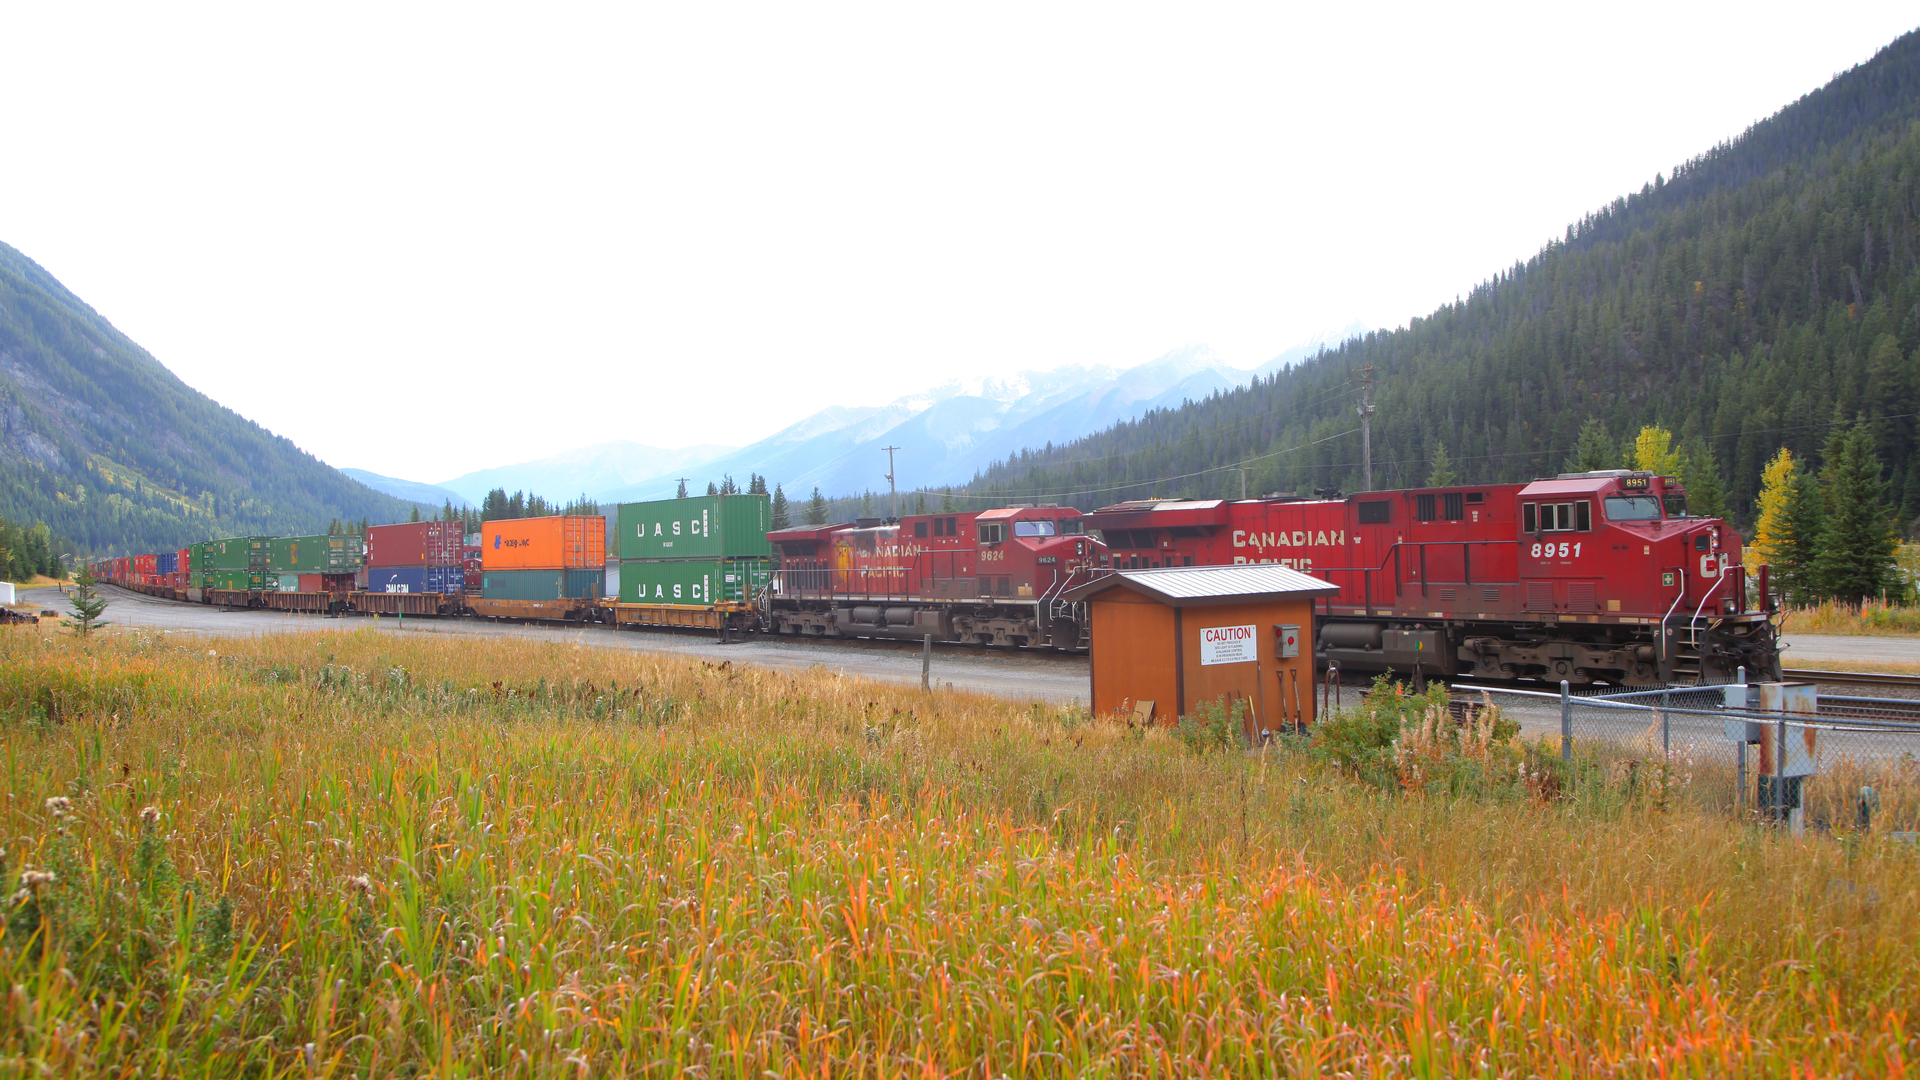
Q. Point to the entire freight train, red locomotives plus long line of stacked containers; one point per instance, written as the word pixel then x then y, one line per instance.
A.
pixel 1585 577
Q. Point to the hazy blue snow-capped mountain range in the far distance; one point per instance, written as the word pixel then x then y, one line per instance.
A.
pixel 946 435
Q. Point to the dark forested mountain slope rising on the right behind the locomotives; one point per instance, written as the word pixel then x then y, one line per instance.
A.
pixel 1752 301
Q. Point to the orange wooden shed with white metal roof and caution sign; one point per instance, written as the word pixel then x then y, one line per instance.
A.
pixel 1166 641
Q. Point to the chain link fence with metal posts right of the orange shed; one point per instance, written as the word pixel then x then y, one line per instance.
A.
pixel 1846 764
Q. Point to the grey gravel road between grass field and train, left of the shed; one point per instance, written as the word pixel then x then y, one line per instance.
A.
pixel 1022 677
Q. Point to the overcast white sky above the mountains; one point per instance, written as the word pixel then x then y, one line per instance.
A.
pixel 554 226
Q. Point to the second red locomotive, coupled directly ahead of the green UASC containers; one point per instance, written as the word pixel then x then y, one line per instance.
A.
pixel 988 577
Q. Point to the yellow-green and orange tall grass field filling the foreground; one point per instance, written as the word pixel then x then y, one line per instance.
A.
pixel 360 856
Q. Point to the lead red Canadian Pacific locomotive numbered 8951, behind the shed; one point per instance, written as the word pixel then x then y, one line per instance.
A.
pixel 1587 577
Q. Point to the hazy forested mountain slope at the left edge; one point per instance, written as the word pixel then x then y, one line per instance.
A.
pixel 114 453
